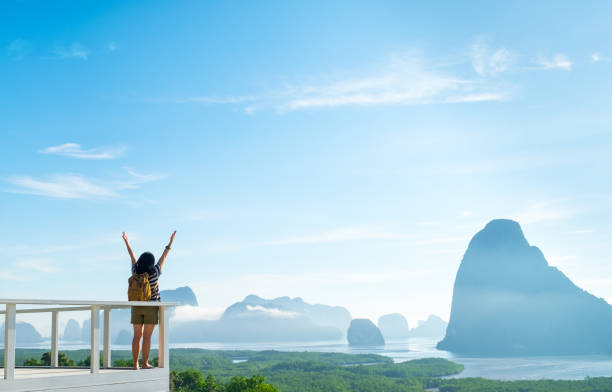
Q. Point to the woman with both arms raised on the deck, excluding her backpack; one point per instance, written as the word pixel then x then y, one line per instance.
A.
pixel 145 318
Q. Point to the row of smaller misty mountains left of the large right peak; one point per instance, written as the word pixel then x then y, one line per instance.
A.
pixel 254 319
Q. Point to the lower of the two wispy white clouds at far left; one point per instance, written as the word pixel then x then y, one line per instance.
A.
pixel 75 186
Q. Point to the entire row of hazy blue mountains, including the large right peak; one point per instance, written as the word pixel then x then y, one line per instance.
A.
pixel 507 300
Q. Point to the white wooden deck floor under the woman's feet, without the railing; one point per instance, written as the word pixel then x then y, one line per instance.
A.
pixel 81 379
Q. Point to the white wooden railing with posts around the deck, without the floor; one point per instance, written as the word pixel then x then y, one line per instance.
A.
pixel 56 306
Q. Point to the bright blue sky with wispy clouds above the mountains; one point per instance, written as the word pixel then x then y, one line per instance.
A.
pixel 344 152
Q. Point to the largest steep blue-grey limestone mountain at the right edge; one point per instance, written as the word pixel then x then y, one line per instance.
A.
pixel 507 300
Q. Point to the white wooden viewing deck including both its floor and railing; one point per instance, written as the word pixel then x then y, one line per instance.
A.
pixel 96 378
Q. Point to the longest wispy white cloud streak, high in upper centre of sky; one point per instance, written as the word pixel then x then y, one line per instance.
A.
pixel 404 80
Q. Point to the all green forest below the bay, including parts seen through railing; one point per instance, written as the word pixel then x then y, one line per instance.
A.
pixel 265 371
